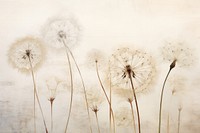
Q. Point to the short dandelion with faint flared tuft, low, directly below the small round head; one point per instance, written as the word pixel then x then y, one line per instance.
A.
pixel 94 100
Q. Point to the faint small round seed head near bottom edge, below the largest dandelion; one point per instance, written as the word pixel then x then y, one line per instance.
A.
pixel 123 117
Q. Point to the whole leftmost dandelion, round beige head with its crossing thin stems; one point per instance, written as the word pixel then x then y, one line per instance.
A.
pixel 26 55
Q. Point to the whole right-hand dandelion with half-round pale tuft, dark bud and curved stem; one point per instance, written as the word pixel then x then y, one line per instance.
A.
pixel 176 53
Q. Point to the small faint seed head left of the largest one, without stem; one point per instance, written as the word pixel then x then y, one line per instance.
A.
pixel 96 56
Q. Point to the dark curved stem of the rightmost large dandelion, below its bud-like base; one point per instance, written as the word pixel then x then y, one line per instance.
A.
pixel 161 101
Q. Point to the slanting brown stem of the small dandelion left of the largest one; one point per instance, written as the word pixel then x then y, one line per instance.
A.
pixel 105 95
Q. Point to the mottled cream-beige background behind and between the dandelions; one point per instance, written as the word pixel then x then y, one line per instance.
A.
pixel 106 25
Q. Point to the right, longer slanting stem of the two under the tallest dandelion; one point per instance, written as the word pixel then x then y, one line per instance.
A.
pixel 84 88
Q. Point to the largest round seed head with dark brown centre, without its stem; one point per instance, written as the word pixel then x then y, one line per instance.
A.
pixel 138 65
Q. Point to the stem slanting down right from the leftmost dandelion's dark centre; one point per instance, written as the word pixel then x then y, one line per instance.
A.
pixel 35 91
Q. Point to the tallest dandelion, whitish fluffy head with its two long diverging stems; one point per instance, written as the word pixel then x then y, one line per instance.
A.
pixel 65 33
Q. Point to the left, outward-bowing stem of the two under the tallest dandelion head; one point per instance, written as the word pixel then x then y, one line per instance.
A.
pixel 71 97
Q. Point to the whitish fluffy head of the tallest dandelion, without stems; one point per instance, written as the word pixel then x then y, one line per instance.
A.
pixel 58 30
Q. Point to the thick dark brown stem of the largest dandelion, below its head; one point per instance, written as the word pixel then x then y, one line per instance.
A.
pixel 136 103
